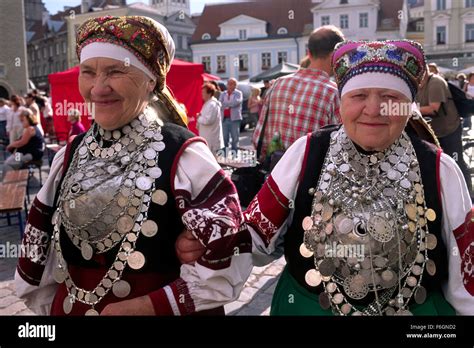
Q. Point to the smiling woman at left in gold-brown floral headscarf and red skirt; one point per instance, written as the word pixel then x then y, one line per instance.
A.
pixel 104 226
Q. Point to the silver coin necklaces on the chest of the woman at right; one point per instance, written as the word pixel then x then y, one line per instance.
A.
pixel 368 231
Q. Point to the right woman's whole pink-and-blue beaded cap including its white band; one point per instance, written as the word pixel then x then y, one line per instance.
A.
pixel 398 65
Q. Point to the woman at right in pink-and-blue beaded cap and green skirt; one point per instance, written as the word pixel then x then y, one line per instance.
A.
pixel 373 220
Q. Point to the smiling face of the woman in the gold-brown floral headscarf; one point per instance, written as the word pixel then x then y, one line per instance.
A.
pixel 118 92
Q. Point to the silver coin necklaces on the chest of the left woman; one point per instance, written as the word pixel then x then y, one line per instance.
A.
pixel 104 202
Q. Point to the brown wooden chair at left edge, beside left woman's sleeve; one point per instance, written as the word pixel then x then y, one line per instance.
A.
pixel 13 202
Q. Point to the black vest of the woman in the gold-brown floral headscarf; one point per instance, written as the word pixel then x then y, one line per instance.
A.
pixel 159 250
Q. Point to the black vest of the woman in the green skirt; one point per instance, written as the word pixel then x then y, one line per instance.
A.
pixel 318 147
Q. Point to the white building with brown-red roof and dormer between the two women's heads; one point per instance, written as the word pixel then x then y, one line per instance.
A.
pixel 245 38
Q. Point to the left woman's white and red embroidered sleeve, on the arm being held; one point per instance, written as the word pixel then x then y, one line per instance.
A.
pixel 210 209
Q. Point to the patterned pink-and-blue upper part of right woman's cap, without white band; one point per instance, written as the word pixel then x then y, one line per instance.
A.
pixel 402 58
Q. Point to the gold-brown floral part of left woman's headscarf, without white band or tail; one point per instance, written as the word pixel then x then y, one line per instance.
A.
pixel 139 35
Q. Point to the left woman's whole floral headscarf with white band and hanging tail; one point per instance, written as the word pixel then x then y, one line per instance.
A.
pixel 138 40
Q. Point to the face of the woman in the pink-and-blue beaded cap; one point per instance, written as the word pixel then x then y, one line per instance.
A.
pixel 374 117
